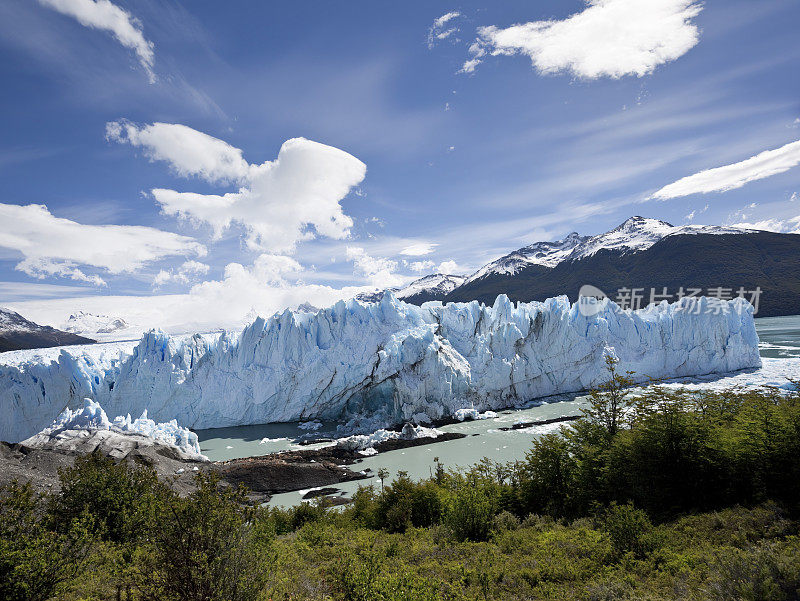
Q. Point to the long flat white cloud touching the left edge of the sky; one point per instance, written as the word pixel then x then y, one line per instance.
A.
pixel 55 246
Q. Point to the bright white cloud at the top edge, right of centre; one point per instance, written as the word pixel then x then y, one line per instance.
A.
pixel 610 38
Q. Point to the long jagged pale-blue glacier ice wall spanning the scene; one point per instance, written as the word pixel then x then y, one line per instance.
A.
pixel 377 364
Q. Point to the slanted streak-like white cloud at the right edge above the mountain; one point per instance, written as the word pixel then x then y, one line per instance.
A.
pixel 730 177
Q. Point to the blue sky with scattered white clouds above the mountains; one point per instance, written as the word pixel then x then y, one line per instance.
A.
pixel 554 128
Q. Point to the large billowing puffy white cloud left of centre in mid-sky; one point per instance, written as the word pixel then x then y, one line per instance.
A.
pixel 295 197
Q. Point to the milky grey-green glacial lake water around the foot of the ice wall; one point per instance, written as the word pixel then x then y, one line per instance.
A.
pixel 779 338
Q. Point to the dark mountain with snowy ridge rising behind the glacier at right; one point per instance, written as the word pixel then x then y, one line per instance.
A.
pixel 639 253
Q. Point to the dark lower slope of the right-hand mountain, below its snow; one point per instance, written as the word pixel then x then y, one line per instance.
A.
pixel 759 259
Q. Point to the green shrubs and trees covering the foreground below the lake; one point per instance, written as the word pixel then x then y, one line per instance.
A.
pixel 673 495
